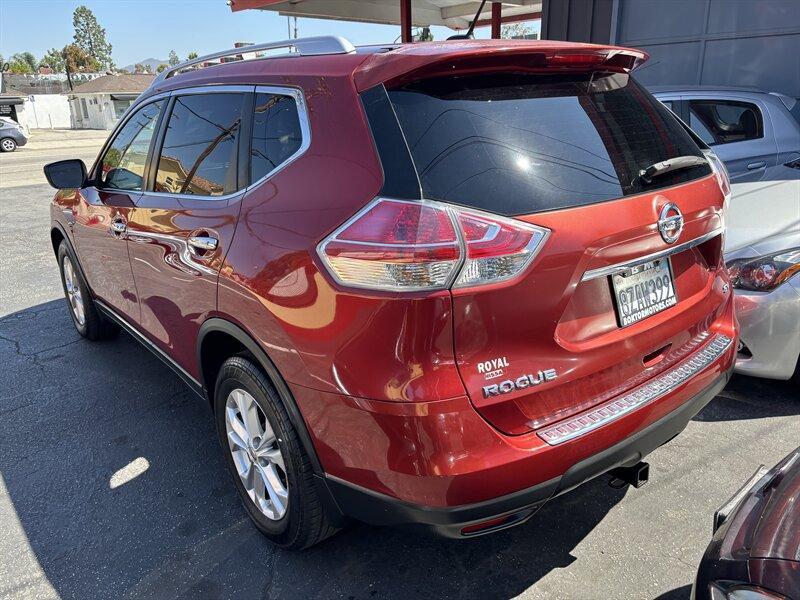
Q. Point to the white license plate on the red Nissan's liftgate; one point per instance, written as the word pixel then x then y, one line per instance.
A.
pixel 643 290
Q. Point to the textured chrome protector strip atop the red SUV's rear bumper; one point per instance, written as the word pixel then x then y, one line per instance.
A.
pixel 656 388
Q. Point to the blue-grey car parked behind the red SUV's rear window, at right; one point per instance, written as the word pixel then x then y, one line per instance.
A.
pixel 755 133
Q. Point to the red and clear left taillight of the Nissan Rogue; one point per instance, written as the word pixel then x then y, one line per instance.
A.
pixel 398 245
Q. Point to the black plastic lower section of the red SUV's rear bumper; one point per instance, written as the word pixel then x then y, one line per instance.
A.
pixel 380 509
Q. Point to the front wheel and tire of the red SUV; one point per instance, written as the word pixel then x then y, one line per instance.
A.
pixel 85 316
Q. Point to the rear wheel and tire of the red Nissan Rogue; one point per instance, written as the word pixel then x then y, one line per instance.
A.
pixel 303 522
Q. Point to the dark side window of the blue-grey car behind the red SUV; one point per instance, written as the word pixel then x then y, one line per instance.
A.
pixel 725 121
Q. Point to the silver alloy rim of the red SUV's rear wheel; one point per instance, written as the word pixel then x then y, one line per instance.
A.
pixel 256 455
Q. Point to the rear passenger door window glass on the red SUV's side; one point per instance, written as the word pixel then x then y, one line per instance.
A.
pixel 198 156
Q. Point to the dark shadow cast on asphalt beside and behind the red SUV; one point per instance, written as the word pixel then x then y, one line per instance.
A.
pixel 74 413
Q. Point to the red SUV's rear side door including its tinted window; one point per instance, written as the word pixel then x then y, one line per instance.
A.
pixel 183 223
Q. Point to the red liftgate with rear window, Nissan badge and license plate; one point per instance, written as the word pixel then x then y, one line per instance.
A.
pixel 567 152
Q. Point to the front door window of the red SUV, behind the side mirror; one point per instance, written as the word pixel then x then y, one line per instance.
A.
pixel 123 164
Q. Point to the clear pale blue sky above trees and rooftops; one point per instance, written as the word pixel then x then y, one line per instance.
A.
pixel 142 29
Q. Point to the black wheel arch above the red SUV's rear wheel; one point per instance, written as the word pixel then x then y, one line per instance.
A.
pixel 230 339
